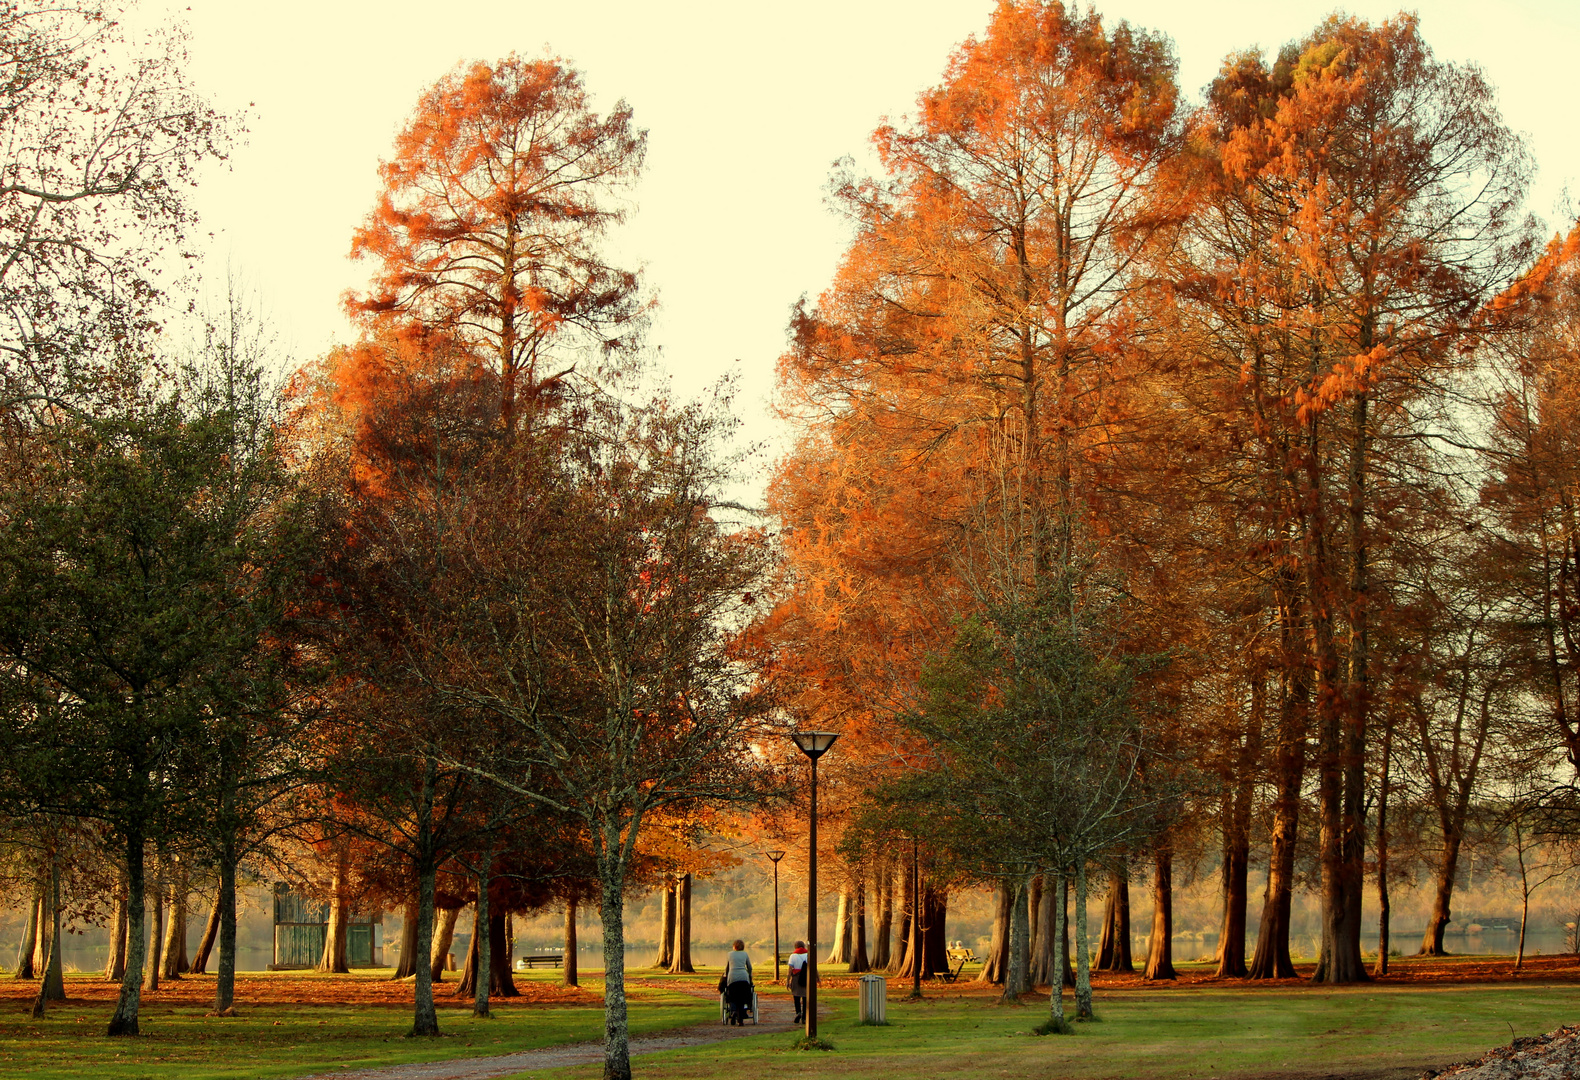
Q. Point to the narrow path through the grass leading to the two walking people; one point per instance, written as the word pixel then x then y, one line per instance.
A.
pixel 778 1016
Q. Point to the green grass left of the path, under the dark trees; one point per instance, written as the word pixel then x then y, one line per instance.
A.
pixel 181 1043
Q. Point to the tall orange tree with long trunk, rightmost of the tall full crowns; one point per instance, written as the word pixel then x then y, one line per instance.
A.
pixel 1361 204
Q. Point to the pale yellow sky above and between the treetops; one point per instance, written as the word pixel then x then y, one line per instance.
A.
pixel 748 107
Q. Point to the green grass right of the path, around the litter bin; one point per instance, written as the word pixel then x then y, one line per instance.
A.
pixel 1240 1035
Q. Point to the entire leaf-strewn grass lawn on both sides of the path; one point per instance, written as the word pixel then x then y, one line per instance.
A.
pixel 298 1024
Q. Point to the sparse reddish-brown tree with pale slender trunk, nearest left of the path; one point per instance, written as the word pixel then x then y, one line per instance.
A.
pixel 614 672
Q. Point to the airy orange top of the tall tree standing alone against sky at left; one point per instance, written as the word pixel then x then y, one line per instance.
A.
pixel 500 190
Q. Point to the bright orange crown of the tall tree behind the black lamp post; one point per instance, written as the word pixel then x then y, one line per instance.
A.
pixel 958 377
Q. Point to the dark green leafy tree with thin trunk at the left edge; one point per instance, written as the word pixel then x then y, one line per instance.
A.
pixel 138 585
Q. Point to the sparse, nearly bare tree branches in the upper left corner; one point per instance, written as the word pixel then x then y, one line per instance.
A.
pixel 105 138
